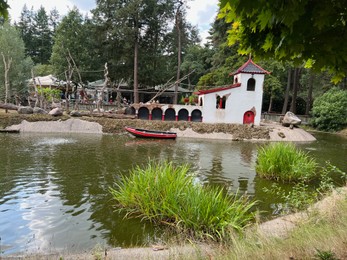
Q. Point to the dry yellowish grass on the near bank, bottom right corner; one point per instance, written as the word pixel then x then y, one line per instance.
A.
pixel 323 233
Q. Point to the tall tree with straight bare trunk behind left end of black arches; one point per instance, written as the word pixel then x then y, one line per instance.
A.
pixel 134 42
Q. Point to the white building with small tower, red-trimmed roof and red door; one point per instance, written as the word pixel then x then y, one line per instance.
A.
pixel 238 103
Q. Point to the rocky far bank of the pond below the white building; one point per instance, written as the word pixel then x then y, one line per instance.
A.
pixel 269 131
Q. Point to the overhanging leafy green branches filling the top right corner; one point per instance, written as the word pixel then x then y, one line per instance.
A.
pixel 306 31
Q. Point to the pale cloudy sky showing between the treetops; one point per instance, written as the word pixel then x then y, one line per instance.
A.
pixel 201 13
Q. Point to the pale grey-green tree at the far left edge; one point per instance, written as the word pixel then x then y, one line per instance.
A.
pixel 14 67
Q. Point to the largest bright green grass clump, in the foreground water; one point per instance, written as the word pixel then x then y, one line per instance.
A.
pixel 168 194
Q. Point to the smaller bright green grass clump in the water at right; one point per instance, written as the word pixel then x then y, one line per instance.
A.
pixel 284 162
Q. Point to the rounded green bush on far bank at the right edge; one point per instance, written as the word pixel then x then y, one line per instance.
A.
pixel 329 112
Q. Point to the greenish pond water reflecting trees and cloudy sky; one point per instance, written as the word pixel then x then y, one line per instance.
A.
pixel 54 188
